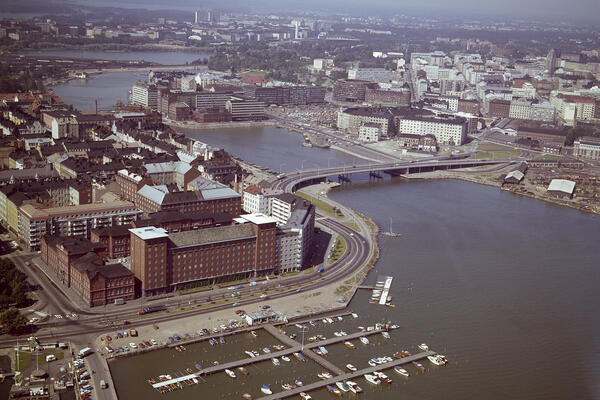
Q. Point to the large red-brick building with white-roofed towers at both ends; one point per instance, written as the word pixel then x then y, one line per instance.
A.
pixel 164 262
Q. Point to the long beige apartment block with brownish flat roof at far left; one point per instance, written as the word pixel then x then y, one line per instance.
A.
pixel 71 220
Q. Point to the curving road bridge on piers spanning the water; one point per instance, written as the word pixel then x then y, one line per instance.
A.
pixel 292 181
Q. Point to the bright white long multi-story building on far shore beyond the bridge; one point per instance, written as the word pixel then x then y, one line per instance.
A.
pixel 447 129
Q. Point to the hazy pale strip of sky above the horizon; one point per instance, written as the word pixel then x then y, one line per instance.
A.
pixel 556 10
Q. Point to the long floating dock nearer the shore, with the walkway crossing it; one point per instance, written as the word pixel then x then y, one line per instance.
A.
pixel 294 348
